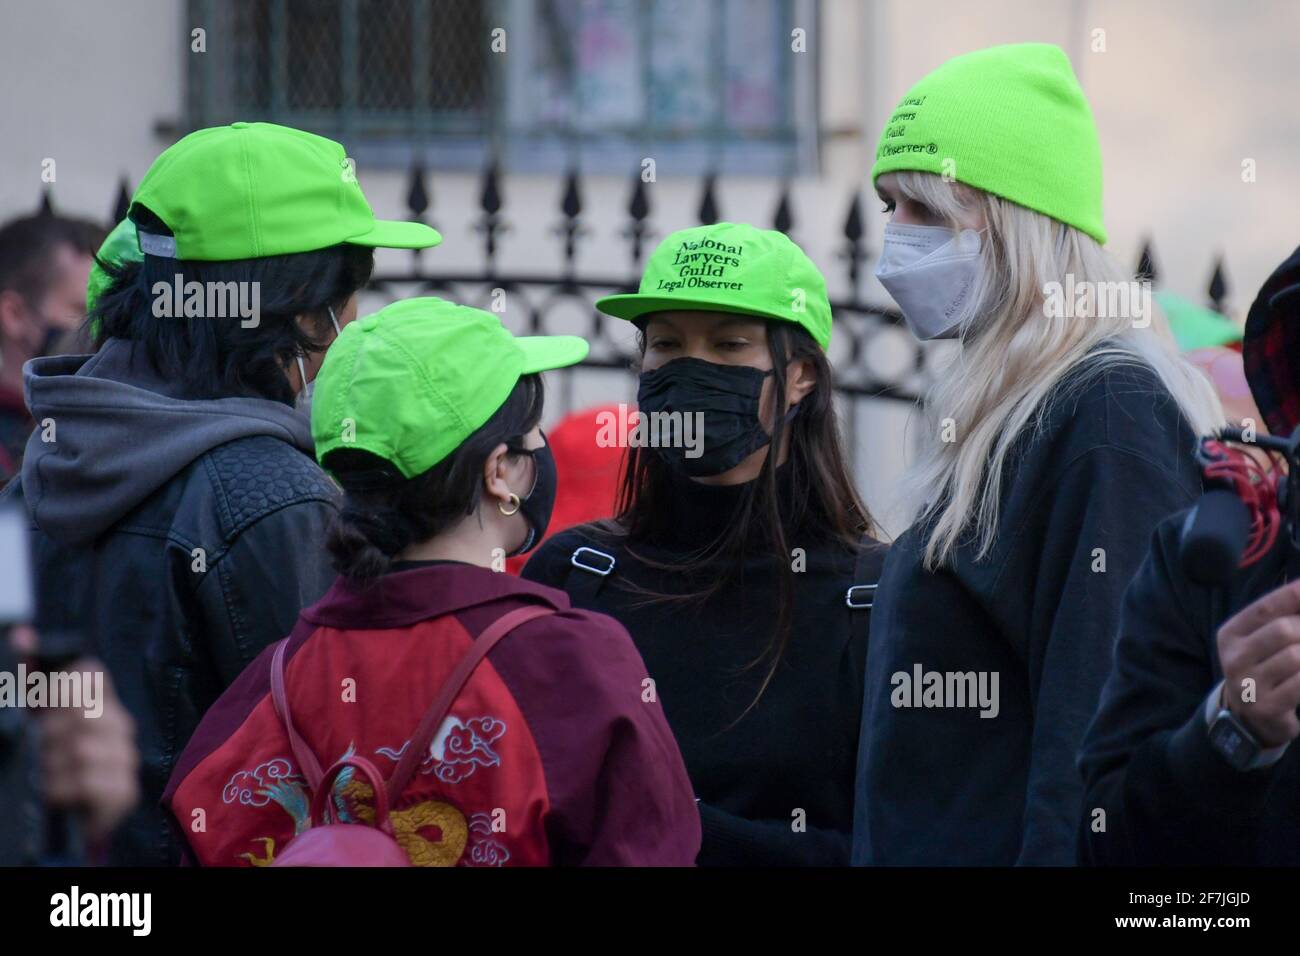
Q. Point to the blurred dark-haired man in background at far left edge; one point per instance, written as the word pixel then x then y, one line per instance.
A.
pixel 45 263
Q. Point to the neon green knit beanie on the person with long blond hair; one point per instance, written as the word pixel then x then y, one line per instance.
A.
pixel 1008 120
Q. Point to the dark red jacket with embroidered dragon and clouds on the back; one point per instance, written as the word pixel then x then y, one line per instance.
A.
pixel 556 752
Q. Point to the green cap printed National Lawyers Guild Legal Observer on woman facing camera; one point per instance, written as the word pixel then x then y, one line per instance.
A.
pixel 731 267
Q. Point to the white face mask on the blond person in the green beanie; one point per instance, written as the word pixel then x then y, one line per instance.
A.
pixel 930 272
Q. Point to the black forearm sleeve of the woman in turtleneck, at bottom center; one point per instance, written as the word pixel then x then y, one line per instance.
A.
pixel 731 841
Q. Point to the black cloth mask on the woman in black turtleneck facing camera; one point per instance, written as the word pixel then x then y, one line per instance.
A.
pixel 727 401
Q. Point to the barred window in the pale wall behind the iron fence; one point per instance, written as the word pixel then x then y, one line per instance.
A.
pixel 605 83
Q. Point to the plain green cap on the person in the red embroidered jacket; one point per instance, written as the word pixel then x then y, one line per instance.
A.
pixel 414 380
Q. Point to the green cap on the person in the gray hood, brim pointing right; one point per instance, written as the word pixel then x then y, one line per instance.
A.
pixel 254 189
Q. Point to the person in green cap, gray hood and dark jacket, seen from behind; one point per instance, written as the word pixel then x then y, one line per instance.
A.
pixel 177 512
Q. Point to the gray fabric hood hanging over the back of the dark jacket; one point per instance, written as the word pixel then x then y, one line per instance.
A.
pixel 110 434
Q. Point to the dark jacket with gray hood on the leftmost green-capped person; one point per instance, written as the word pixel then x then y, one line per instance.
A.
pixel 175 540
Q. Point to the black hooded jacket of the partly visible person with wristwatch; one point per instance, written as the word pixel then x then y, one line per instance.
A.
pixel 1158 793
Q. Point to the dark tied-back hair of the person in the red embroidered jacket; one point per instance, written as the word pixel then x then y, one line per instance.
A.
pixel 384 513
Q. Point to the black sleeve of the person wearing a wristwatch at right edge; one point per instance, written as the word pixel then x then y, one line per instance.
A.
pixel 1156 793
